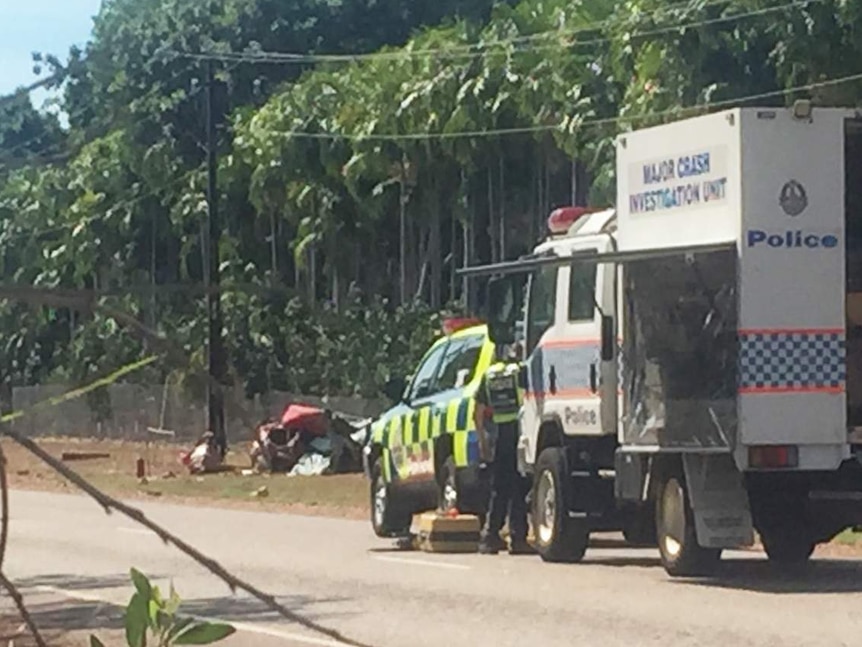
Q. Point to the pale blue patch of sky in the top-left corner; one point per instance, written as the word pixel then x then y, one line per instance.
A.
pixel 51 26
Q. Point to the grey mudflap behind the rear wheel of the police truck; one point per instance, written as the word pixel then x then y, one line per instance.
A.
pixel 719 501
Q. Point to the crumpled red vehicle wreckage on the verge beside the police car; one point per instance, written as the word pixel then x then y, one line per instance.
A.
pixel 308 441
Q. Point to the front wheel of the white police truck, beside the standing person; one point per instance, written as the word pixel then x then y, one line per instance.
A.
pixel 559 538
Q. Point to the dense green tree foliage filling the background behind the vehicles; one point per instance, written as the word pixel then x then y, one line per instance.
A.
pixel 351 187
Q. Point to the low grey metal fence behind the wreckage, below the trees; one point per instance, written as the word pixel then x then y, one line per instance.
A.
pixel 132 412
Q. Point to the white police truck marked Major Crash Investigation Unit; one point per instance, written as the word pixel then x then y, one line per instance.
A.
pixel 692 357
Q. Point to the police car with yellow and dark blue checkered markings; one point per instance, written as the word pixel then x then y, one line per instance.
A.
pixel 423 453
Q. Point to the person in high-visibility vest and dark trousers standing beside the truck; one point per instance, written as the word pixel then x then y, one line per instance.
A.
pixel 498 400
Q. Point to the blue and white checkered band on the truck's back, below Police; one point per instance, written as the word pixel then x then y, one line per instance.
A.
pixel 791 360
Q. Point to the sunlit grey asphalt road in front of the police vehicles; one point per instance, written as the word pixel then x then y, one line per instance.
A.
pixel 337 573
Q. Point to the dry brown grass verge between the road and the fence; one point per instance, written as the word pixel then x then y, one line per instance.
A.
pixel 337 495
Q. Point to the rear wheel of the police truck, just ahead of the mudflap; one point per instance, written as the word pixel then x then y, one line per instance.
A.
pixel 681 555
